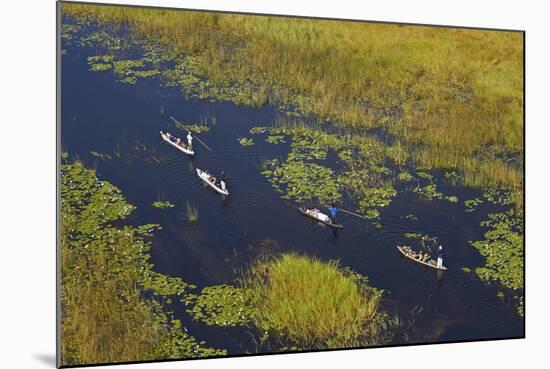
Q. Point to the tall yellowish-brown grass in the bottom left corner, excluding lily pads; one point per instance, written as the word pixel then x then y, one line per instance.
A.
pixel 104 320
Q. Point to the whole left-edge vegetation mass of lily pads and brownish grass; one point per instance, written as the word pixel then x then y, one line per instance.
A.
pixel 108 313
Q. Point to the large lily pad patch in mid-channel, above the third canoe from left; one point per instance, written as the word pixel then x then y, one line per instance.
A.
pixel 303 176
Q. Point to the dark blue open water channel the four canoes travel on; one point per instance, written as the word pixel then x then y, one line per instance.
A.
pixel 101 115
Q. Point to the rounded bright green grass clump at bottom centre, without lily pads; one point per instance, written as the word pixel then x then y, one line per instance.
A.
pixel 313 304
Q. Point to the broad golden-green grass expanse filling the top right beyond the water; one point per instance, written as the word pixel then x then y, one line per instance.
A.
pixel 452 96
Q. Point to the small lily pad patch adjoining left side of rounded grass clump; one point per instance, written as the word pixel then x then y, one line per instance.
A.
pixel 221 305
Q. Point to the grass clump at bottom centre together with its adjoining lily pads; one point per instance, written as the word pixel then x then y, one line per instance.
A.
pixel 299 302
